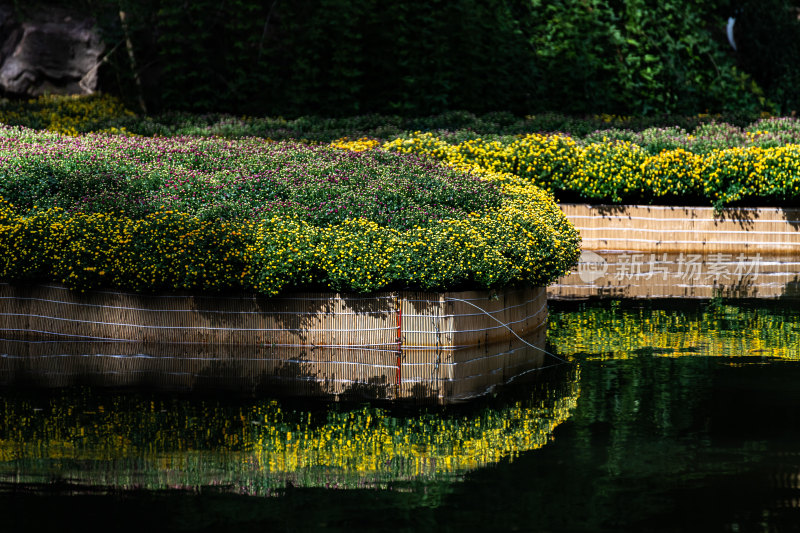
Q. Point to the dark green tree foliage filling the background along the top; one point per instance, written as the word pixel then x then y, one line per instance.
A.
pixel 414 57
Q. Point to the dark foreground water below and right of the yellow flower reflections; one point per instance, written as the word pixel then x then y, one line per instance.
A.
pixel 656 444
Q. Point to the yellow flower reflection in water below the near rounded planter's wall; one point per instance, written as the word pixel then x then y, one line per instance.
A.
pixel 259 444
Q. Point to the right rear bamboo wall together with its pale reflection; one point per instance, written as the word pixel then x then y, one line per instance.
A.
pixel 687 252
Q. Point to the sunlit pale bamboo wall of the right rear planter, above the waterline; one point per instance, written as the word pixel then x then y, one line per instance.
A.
pixel 687 229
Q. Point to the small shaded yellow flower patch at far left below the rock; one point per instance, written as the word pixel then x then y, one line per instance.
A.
pixel 68 115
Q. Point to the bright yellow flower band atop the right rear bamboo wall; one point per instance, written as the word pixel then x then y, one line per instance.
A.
pixel 619 171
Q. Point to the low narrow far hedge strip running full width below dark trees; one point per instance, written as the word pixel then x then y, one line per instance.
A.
pixel 105 113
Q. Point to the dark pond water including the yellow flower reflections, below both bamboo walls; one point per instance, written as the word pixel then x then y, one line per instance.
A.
pixel 669 415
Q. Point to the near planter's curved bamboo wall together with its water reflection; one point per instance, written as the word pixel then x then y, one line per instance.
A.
pixel 453 345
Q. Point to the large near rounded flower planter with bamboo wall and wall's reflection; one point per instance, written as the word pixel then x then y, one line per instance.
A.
pixel 178 262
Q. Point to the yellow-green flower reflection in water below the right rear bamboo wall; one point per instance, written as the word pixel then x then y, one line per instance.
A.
pixel 624 329
